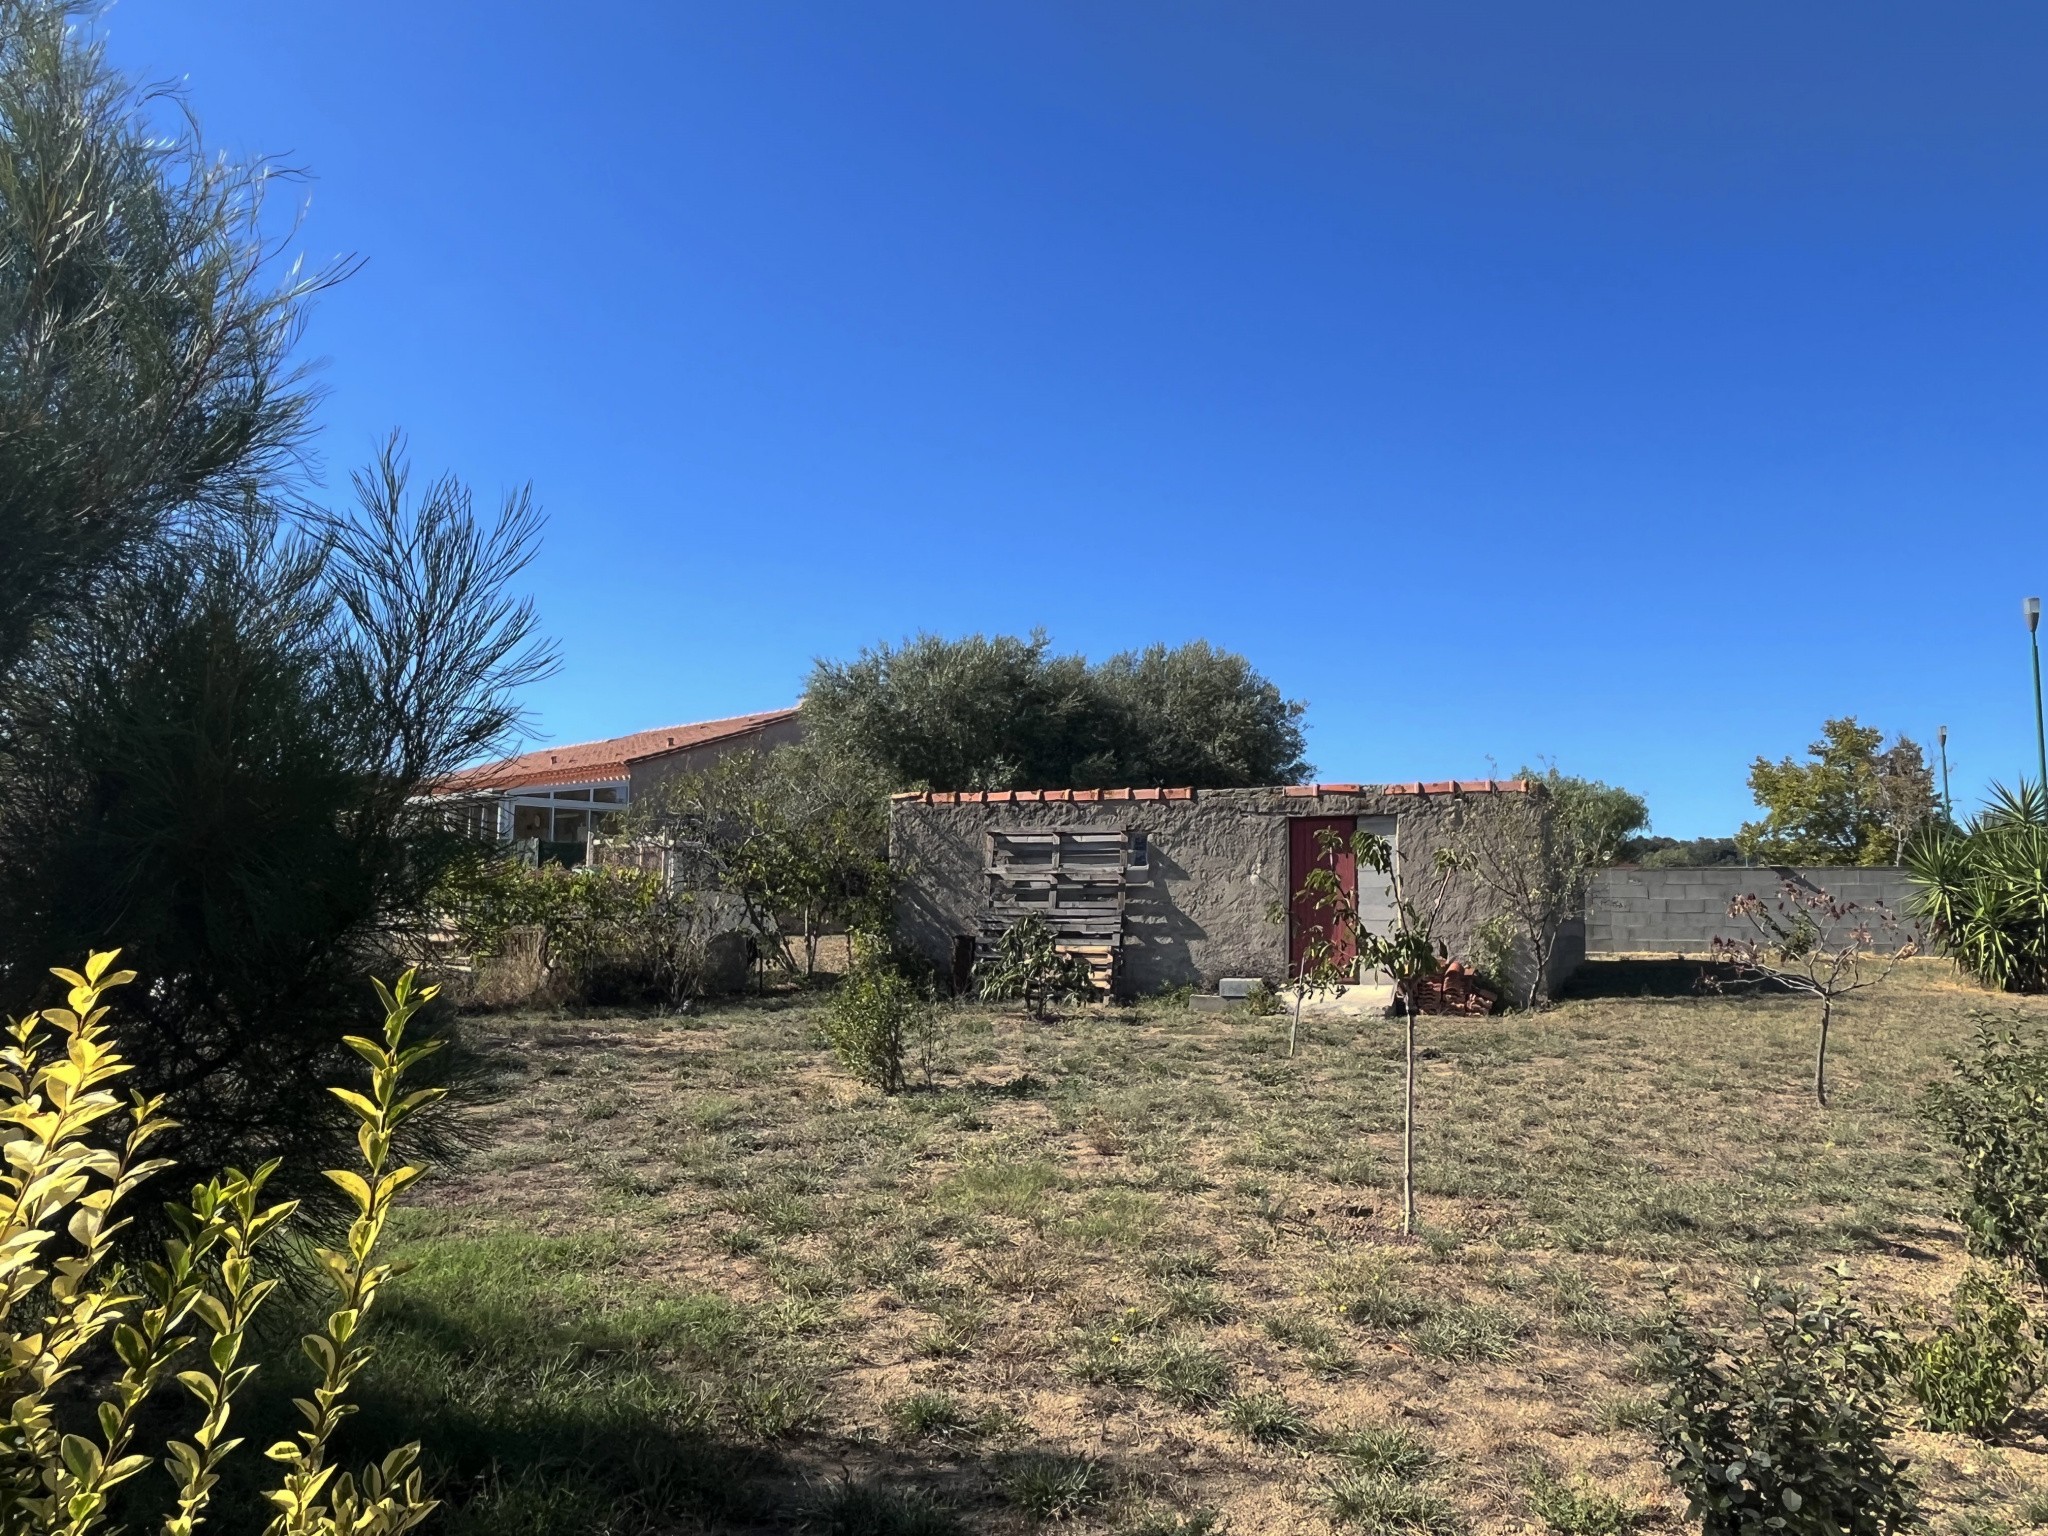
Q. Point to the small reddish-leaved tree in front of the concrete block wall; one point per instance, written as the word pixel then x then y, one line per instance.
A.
pixel 1816 947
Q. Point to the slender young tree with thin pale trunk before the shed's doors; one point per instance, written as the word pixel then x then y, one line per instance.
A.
pixel 1406 953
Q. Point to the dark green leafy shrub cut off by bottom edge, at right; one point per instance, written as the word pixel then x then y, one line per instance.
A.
pixel 1785 1433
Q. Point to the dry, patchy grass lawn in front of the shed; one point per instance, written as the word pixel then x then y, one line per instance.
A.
pixel 1138 1271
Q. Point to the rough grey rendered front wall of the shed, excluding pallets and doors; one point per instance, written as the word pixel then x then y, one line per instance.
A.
pixel 1220 871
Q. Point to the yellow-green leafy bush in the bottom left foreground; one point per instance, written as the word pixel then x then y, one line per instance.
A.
pixel 89 1342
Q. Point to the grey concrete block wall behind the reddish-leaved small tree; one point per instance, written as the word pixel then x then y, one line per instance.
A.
pixel 1687 910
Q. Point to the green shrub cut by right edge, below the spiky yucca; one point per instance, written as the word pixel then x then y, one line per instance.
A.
pixel 1992 1115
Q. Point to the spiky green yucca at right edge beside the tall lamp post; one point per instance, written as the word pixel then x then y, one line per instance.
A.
pixel 1983 890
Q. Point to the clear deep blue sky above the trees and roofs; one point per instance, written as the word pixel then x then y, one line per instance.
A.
pixel 1623 384
